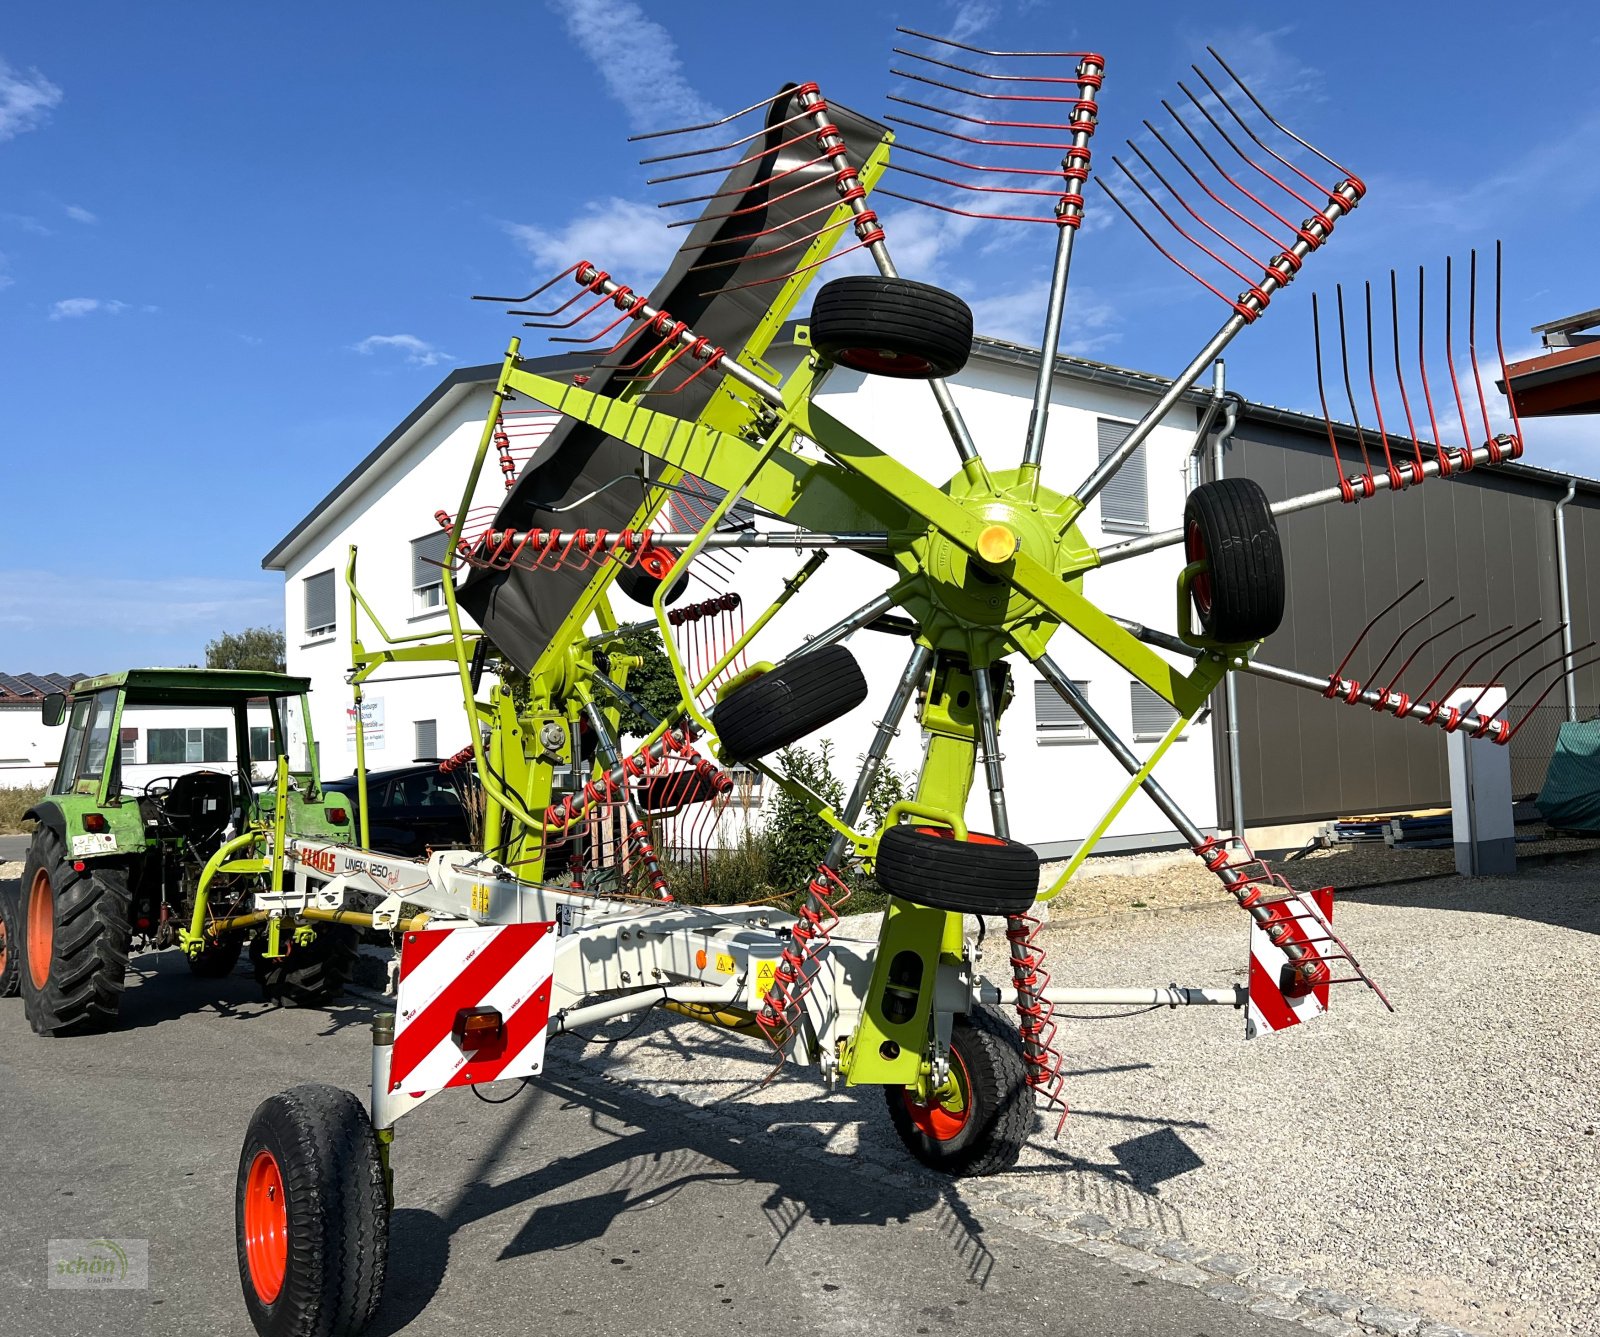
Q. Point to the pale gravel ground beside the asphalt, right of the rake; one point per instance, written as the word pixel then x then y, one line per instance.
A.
pixel 1442 1160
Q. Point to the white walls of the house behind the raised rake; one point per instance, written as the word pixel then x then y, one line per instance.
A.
pixel 1058 780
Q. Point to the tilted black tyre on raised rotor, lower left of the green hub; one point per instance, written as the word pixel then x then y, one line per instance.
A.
pixel 788 703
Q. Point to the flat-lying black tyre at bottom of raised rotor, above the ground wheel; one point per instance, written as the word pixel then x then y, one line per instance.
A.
pixel 982 876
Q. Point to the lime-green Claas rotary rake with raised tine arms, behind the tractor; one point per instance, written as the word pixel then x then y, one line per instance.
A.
pixel 682 447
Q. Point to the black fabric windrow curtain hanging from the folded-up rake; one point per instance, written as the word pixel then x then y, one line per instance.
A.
pixel 521 610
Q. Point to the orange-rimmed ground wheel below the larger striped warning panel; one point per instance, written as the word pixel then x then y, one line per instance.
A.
pixel 311 1213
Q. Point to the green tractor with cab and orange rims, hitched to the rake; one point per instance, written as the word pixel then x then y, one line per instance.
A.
pixel 175 860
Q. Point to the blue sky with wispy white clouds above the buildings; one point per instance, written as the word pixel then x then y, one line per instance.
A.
pixel 238 242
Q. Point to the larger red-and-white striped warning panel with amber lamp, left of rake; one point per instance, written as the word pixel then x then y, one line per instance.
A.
pixel 473 1007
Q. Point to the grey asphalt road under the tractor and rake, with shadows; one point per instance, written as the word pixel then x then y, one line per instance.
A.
pixel 575 1207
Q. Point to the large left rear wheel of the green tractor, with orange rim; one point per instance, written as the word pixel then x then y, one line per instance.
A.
pixel 74 930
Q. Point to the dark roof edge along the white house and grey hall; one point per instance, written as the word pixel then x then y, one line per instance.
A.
pixel 985 348
